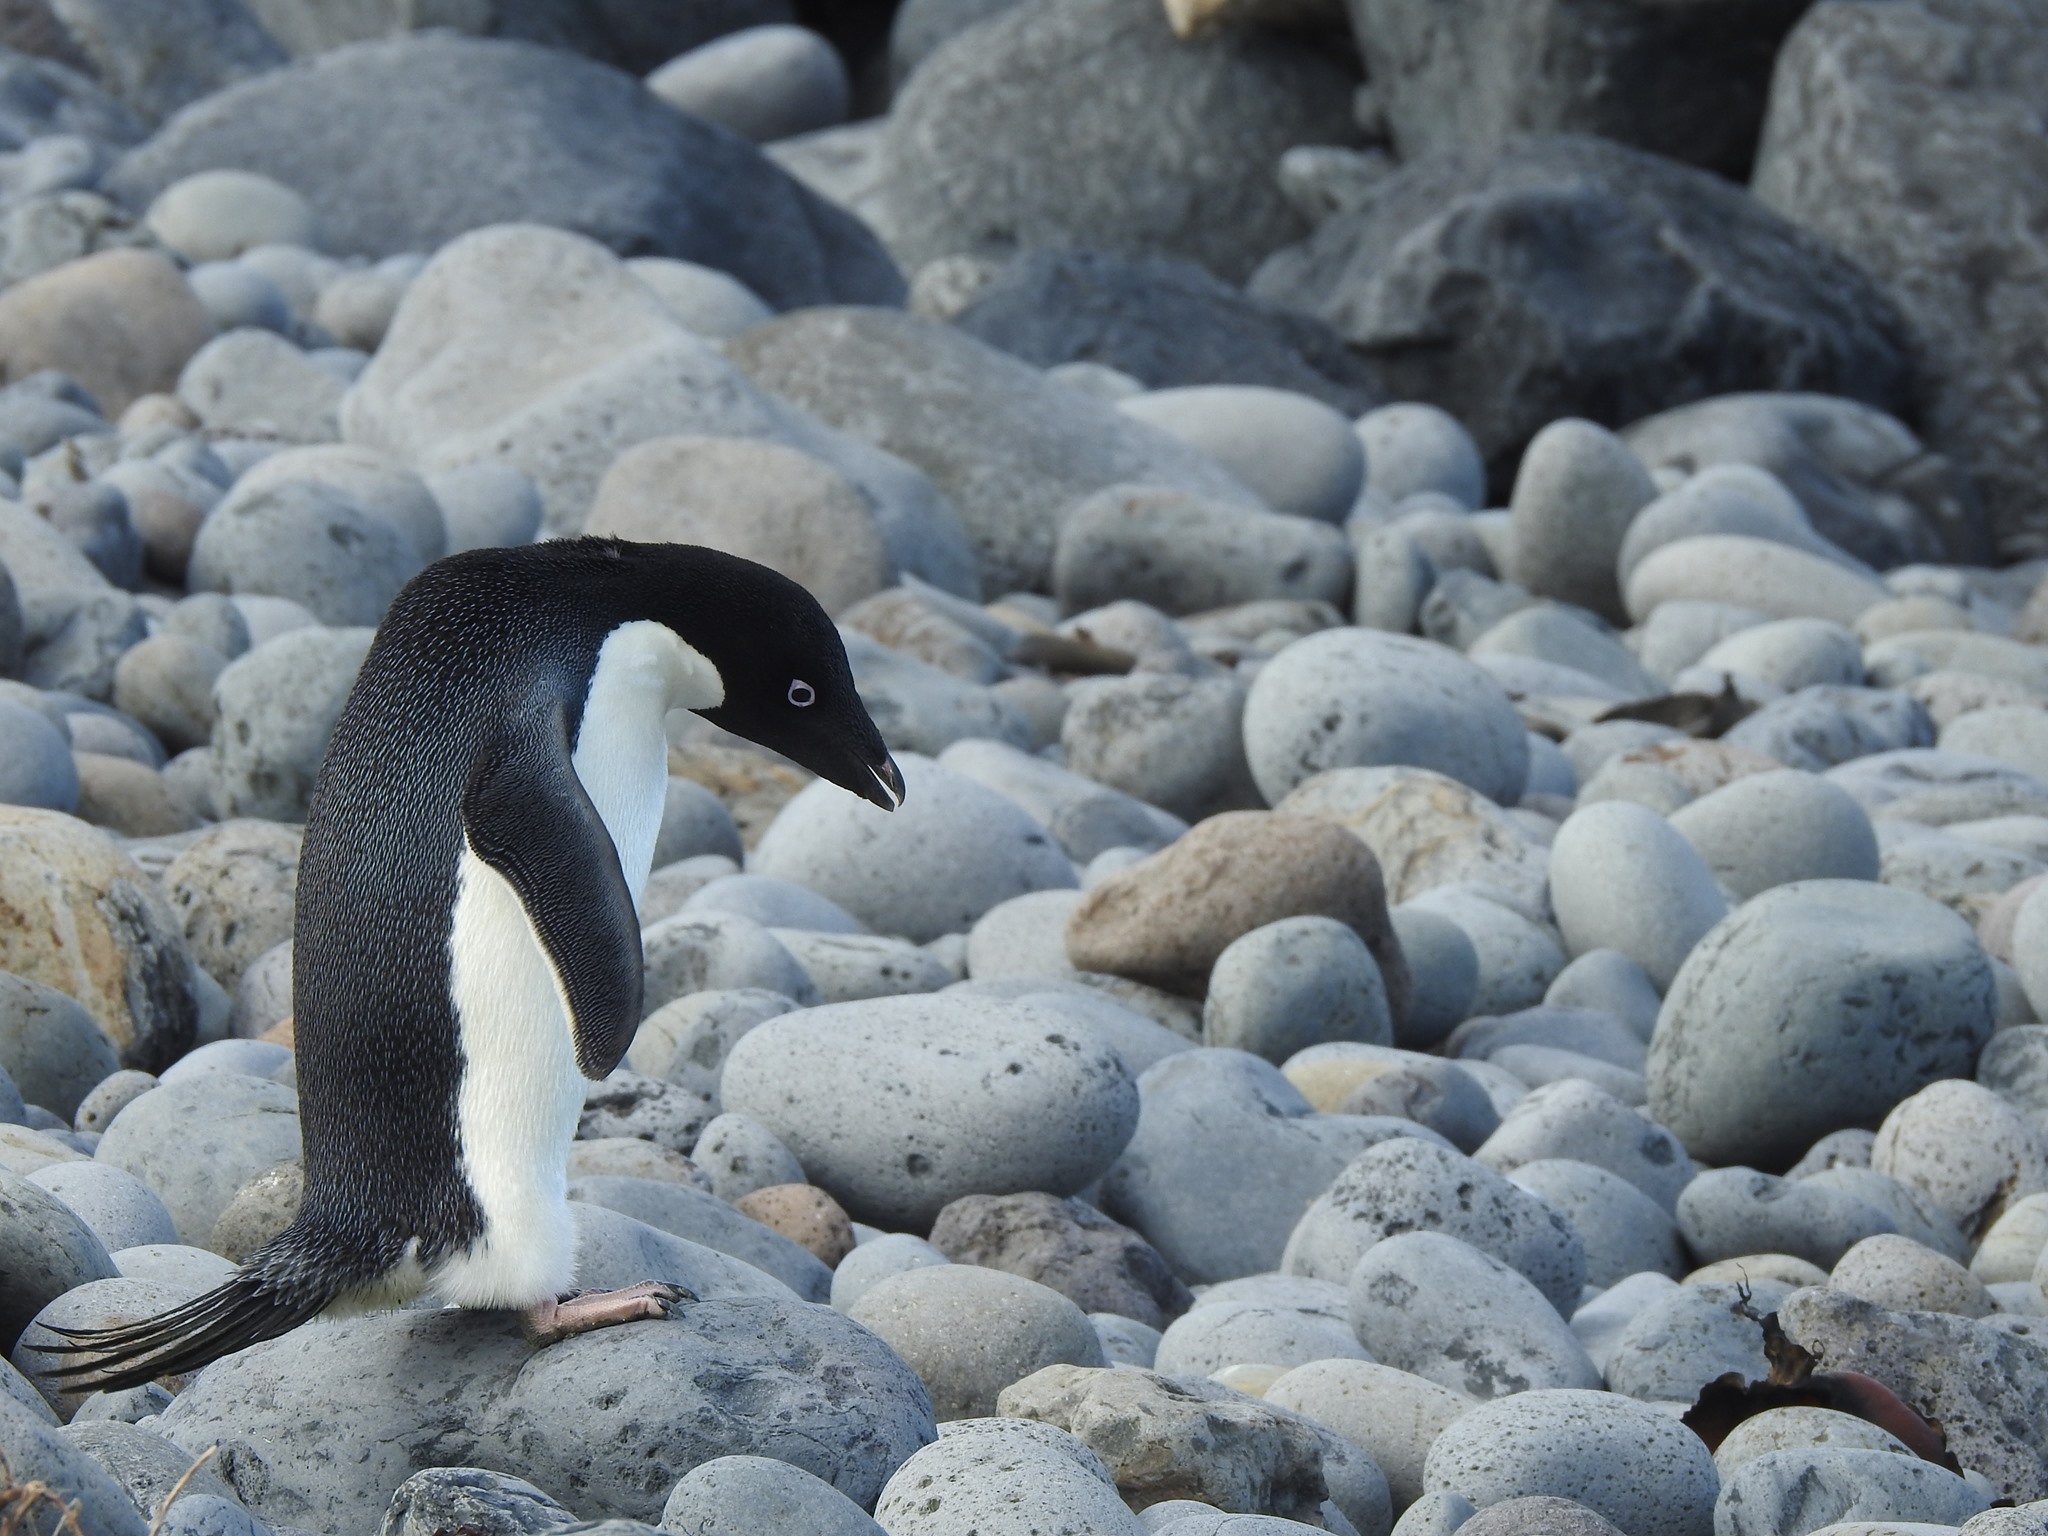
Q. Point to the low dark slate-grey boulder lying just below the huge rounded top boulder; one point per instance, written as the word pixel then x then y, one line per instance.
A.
pixel 1162 323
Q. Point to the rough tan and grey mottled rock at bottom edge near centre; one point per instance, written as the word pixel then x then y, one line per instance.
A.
pixel 1181 1439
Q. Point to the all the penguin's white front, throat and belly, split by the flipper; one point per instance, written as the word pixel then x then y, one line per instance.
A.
pixel 523 1093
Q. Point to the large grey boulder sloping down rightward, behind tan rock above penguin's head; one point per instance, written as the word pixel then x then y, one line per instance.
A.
pixel 1009 447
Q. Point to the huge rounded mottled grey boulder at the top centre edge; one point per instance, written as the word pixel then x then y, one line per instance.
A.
pixel 1089 124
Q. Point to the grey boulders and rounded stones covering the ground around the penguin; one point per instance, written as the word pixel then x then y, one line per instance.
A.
pixel 1455 589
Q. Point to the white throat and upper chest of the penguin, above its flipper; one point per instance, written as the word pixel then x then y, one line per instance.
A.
pixel 622 746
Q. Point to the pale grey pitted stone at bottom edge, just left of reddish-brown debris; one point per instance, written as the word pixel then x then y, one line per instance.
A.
pixel 1627 1461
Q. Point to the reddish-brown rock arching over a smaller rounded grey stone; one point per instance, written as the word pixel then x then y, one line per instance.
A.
pixel 1170 916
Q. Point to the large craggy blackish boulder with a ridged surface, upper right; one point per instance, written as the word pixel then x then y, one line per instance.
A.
pixel 1572 278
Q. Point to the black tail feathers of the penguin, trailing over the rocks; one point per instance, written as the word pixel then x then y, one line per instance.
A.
pixel 230 1318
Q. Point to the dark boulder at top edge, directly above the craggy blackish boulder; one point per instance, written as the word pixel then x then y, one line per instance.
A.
pixel 1682 81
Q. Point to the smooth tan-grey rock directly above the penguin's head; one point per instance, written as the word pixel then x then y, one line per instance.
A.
pixel 749 499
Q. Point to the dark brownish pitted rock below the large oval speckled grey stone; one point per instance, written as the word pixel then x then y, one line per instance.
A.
pixel 1091 1261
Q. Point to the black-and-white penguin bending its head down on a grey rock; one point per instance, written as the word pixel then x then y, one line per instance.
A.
pixel 468 949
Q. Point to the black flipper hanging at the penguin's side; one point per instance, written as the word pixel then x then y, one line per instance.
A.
pixel 531 820
